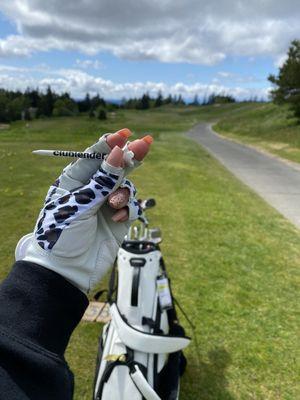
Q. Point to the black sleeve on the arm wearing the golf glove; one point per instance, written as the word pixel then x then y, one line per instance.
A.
pixel 39 310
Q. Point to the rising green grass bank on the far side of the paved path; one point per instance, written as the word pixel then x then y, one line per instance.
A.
pixel 266 126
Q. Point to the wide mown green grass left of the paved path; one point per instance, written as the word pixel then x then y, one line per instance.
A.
pixel 234 261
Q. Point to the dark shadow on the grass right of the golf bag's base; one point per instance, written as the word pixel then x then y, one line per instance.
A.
pixel 207 380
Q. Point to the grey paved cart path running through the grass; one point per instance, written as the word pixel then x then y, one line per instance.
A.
pixel 274 180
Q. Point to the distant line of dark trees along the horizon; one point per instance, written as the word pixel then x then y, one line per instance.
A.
pixel 33 103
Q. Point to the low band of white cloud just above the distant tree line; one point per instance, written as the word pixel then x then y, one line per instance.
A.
pixel 78 82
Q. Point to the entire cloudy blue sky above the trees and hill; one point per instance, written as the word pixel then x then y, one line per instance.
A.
pixel 121 48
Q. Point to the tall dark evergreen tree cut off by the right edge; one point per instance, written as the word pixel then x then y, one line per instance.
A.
pixel 287 83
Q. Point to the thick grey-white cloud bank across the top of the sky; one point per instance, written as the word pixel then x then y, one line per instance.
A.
pixel 194 31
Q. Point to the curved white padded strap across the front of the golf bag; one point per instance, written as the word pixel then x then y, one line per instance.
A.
pixel 143 341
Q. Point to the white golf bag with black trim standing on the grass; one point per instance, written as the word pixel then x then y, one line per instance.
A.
pixel 140 351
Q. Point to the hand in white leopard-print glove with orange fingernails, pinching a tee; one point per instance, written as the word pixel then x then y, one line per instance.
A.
pixel 85 217
